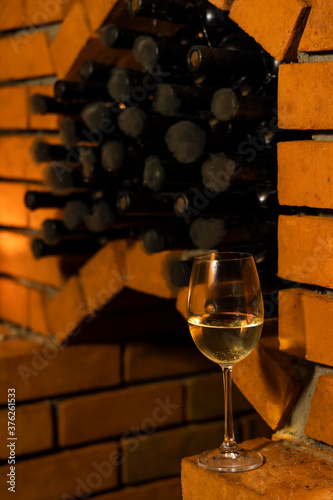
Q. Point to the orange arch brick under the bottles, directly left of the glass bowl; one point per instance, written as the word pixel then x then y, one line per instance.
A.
pixel 146 273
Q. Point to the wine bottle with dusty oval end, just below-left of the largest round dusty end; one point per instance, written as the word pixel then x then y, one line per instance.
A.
pixel 161 174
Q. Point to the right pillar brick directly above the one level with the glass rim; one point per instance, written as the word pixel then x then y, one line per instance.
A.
pixel 308 181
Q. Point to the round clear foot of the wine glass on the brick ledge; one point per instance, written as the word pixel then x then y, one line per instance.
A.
pixel 230 461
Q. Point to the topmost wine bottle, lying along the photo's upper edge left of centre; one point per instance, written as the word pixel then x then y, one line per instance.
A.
pixel 168 10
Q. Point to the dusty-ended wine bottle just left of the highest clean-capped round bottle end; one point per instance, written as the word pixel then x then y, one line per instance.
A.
pixel 161 54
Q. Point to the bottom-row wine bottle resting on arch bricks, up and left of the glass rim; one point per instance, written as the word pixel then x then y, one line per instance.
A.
pixel 159 239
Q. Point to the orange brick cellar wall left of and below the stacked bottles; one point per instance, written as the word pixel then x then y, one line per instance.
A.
pixel 110 391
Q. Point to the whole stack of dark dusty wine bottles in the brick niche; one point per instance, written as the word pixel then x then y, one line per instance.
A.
pixel 181 155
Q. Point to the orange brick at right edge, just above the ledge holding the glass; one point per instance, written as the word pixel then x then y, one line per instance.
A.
pixel 320 417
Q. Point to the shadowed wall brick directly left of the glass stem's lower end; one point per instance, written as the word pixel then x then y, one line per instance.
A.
pixel 167 447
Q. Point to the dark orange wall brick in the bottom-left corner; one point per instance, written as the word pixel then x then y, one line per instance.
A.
pixel 66 474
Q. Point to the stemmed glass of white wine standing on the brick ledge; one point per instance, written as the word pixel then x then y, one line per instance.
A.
pixel 225 314
